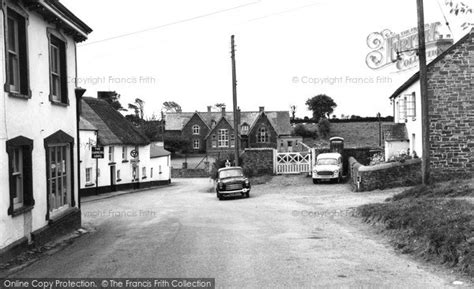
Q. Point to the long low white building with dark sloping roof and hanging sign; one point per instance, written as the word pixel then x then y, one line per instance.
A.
pixel 131 160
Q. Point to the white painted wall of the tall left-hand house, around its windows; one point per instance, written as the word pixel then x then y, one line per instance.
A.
pixel 35 118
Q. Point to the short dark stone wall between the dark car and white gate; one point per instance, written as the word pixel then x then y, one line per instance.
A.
pixel 257 162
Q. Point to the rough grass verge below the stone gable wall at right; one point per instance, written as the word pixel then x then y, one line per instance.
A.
pixel 420 222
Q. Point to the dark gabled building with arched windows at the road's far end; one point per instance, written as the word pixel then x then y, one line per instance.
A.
pixel 213 132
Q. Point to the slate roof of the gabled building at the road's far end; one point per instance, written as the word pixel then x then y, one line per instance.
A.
pixel 280 120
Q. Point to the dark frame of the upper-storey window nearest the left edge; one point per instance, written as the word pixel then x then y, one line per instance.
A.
pixel 18 14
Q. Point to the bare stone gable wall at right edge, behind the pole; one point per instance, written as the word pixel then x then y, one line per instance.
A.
pixel 451 110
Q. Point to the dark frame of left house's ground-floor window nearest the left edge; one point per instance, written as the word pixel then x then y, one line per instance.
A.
pixel 26 146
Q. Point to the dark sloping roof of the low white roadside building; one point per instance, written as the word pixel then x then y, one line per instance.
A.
pixel 114 128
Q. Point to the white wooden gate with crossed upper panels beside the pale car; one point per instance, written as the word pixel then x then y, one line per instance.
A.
pixel 293 163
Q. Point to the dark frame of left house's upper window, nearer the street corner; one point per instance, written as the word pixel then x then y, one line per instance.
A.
pixel 55 39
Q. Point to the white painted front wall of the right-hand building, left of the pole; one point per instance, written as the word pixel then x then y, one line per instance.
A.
pixel 413 125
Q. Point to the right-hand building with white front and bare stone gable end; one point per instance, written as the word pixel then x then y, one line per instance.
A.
pixel 451 111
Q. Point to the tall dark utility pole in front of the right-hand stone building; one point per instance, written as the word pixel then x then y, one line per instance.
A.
pixel 425 122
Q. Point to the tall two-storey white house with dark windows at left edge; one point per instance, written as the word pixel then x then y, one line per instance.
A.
pixel 38 122
